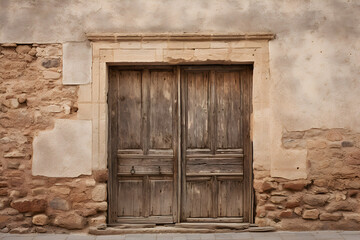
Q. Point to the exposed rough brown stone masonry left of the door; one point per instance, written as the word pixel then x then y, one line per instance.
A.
pixel 32 97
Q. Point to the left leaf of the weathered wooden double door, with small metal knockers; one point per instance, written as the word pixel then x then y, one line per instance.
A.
pixel 143 138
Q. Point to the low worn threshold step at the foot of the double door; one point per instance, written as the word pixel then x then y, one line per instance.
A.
pixel 176 229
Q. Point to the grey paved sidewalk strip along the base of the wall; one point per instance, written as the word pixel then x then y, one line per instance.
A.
pixel 318 235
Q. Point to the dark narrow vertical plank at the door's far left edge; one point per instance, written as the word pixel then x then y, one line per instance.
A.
pixel 112 148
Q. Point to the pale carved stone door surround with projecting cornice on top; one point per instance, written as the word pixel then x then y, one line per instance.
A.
pixel 177 48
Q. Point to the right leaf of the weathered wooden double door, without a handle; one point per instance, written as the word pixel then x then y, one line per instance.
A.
pixel 215 144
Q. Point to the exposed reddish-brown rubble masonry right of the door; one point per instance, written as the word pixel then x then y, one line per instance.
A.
pixel 329 198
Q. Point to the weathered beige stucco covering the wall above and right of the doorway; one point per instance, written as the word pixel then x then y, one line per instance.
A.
pixel 314 63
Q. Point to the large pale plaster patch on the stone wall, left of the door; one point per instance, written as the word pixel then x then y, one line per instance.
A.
pixel 65 151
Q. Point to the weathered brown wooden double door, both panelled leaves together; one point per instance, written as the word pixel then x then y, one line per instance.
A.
pixel 179 144
